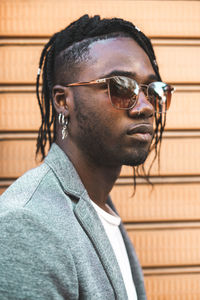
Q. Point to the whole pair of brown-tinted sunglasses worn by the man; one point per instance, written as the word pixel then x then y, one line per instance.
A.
pixel 124 92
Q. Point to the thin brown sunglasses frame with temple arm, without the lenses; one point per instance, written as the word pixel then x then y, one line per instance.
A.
pixel 107 80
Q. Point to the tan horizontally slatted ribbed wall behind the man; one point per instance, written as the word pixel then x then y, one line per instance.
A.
pixel 163 223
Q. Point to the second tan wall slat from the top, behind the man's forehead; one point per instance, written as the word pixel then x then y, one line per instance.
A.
pixel 169 56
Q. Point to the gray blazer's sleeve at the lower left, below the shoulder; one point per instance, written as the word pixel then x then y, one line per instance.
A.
pixel 33 263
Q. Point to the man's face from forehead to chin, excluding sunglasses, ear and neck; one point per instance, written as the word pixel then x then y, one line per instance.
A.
pixel 103 134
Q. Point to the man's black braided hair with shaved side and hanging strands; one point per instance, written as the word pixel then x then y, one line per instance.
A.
pixel 69 47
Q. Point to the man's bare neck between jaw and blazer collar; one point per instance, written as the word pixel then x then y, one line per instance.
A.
pixel 97 179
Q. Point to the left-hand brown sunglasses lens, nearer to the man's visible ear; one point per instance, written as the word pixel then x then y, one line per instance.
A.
pixel 123 92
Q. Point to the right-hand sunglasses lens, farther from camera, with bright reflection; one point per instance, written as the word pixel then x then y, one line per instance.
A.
pixel 159 94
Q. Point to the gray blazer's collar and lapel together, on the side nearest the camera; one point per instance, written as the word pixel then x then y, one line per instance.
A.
pixel 86 216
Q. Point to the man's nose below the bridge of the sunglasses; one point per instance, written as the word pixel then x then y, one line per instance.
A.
pixel 143 108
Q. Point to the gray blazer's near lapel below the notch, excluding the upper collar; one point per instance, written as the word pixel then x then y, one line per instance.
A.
pixel 92 225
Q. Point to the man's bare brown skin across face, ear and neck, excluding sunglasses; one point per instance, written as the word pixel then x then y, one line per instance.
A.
pixel 99 137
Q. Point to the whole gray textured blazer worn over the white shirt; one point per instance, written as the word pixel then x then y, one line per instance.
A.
pixel 52 243
